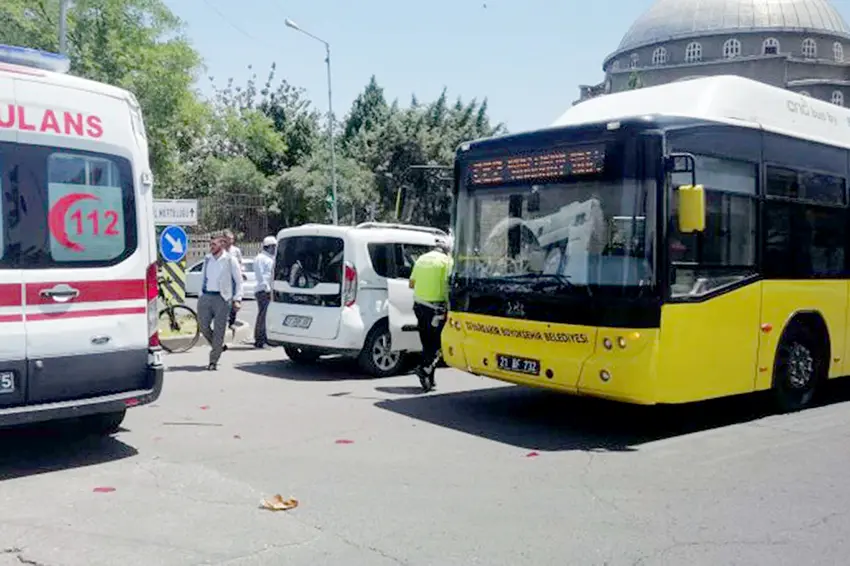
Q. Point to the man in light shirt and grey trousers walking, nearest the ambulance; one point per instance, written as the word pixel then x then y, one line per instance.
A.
pixel 221 291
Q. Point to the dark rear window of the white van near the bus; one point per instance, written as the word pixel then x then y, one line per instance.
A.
pixel 306 261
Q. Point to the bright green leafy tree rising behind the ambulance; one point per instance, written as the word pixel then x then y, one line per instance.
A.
pixel 138 45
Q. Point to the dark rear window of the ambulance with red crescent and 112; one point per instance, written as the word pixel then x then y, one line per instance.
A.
pixel 72 208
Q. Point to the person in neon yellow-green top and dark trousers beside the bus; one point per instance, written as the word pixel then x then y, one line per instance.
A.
pixel 429 281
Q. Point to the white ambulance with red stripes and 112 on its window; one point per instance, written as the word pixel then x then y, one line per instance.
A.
pixel 78 290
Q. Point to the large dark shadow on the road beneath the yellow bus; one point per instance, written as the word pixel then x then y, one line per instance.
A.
pixel 546 421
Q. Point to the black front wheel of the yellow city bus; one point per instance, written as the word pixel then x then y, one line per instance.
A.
pixel 799 369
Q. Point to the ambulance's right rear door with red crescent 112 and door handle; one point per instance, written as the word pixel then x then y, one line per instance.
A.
pixel 83 254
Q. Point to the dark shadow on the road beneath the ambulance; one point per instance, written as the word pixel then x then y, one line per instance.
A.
pixel 47 448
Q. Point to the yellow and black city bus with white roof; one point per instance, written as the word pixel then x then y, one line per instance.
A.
pixel 659 246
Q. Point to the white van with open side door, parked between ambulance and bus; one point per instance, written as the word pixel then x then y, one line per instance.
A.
pixel 344 290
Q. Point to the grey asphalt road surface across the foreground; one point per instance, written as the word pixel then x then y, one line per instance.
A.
pixel 476 473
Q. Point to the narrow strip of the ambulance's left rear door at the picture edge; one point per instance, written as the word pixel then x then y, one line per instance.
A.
pixel 13 367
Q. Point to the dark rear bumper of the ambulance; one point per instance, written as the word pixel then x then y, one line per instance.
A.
pixel 112 403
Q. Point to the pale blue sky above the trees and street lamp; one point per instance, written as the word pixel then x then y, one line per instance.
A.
pixel 526 57
